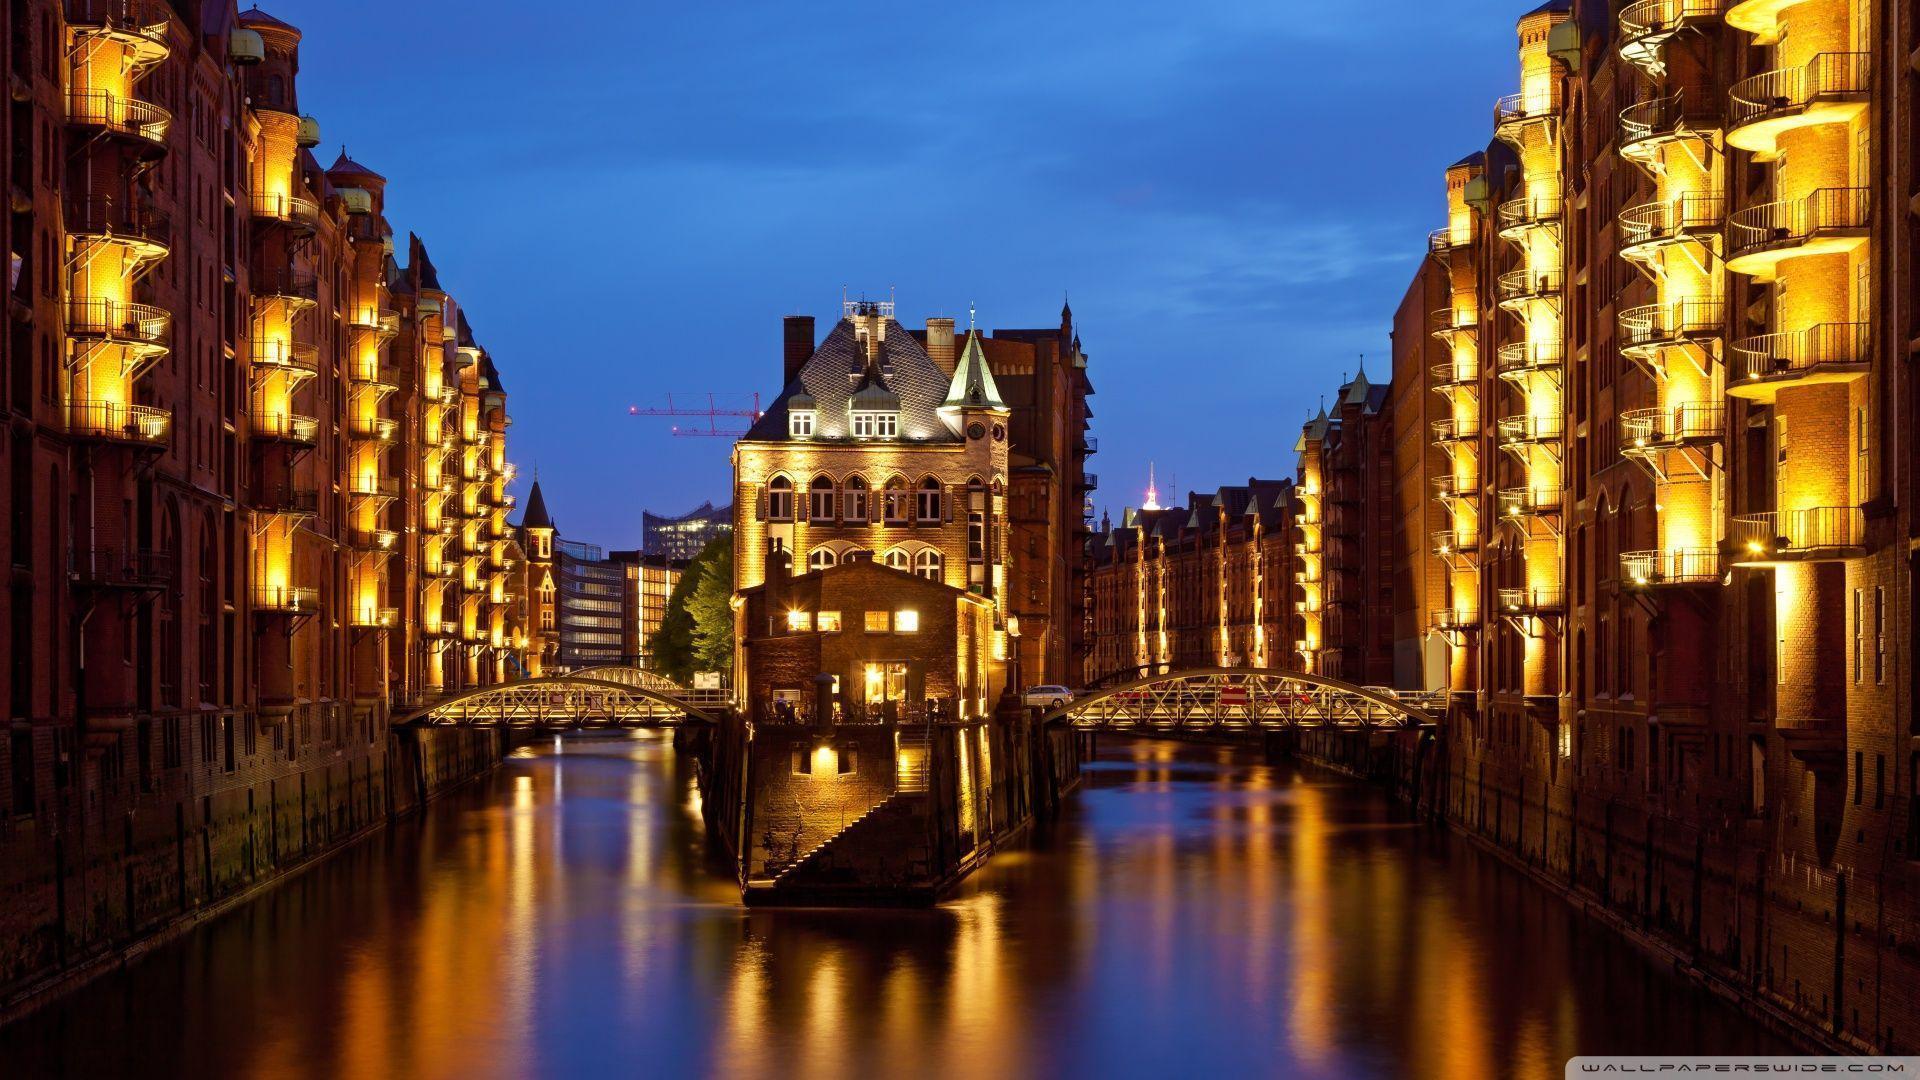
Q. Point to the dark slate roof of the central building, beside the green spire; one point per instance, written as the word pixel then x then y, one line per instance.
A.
pixel 836 370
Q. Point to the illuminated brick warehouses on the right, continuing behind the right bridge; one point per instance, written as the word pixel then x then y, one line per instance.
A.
pixel 1648 506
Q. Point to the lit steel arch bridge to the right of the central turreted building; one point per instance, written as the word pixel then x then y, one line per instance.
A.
pixel 1245 699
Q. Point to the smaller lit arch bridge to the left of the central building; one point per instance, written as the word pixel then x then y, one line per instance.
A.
pixel 564 700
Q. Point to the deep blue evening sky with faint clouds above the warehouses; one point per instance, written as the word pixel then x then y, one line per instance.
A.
pixel 629 197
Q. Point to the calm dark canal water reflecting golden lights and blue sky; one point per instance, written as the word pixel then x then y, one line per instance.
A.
pixel 1195 914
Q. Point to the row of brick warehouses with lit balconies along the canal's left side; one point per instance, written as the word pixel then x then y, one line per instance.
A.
pixel 228 479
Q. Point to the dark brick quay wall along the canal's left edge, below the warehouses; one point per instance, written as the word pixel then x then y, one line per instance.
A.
pixel 103 891
